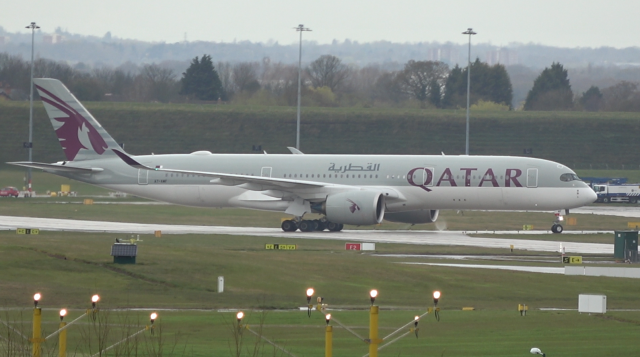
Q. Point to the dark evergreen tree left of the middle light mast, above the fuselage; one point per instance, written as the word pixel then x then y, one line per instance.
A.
pixel 201 80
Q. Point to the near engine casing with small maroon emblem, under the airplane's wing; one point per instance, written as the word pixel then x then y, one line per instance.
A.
pixel 355 207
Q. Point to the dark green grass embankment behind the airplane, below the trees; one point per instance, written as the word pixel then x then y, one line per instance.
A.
pixel 577 139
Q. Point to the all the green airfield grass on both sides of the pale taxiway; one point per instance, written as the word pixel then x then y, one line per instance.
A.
pixel 178 275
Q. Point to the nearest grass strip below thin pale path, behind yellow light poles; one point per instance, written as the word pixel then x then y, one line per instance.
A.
pixel 459 333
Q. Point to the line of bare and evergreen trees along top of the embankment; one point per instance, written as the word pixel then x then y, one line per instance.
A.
pixel 326 81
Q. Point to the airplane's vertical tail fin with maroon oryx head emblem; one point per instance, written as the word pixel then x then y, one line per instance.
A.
pixel 79 133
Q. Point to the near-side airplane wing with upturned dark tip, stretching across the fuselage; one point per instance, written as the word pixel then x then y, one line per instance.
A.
pixel 306 189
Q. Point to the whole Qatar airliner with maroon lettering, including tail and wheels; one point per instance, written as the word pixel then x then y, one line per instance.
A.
pixel 345 189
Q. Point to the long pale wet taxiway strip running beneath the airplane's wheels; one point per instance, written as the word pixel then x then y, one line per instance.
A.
pixel 451 238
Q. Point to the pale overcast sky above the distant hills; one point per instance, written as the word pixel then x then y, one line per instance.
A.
pixel 562 23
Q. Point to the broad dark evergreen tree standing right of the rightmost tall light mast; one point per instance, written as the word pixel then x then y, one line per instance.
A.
pixel 551 90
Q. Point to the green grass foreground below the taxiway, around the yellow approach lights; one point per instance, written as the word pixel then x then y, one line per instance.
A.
pixel 180 272
